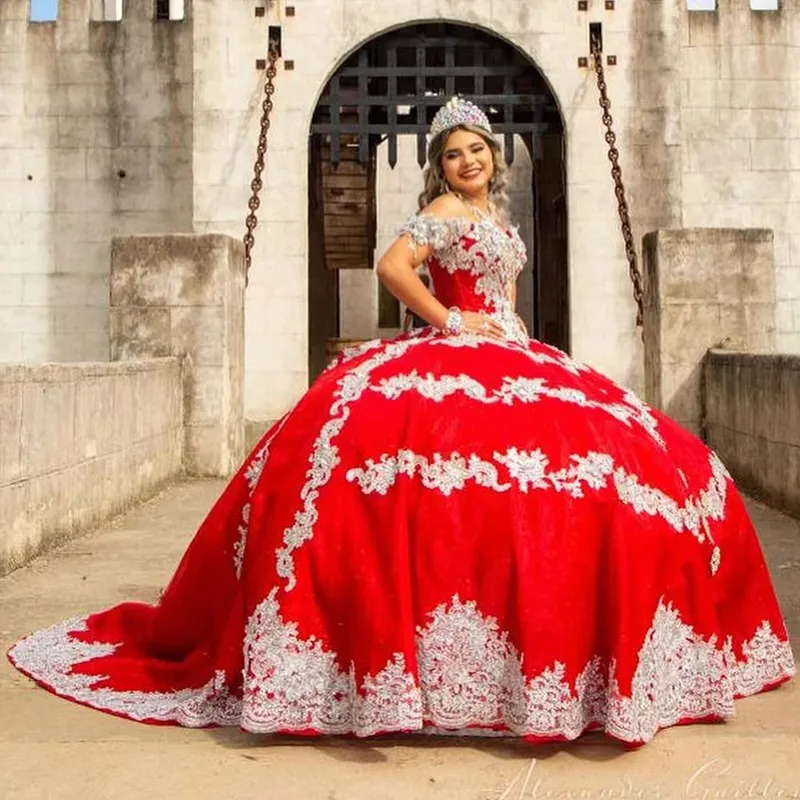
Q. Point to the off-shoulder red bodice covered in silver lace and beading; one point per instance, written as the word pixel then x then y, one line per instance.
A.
pixel 473 265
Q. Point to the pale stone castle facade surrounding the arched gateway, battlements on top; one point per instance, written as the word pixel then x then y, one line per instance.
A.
pixel 704 106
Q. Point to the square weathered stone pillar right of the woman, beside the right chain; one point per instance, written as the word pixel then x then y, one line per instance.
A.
pixel 704 288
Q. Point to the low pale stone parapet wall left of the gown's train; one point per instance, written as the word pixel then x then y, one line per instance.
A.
pixel 79 443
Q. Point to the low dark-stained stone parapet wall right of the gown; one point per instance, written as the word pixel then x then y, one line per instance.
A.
pixel 753 422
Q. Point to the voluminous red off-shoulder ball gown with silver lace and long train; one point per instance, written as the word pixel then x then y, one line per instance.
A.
pixel 450 533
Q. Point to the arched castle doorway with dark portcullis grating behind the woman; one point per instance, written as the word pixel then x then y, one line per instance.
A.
pixel 370 125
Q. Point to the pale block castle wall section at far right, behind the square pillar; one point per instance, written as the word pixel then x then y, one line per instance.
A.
pixel 740 139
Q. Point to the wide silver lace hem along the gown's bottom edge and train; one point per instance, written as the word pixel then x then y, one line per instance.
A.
pixel 470 675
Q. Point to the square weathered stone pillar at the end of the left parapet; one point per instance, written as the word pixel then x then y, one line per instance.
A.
pixel 183 295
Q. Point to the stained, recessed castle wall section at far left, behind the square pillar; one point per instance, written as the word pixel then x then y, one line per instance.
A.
pixel 95 140
